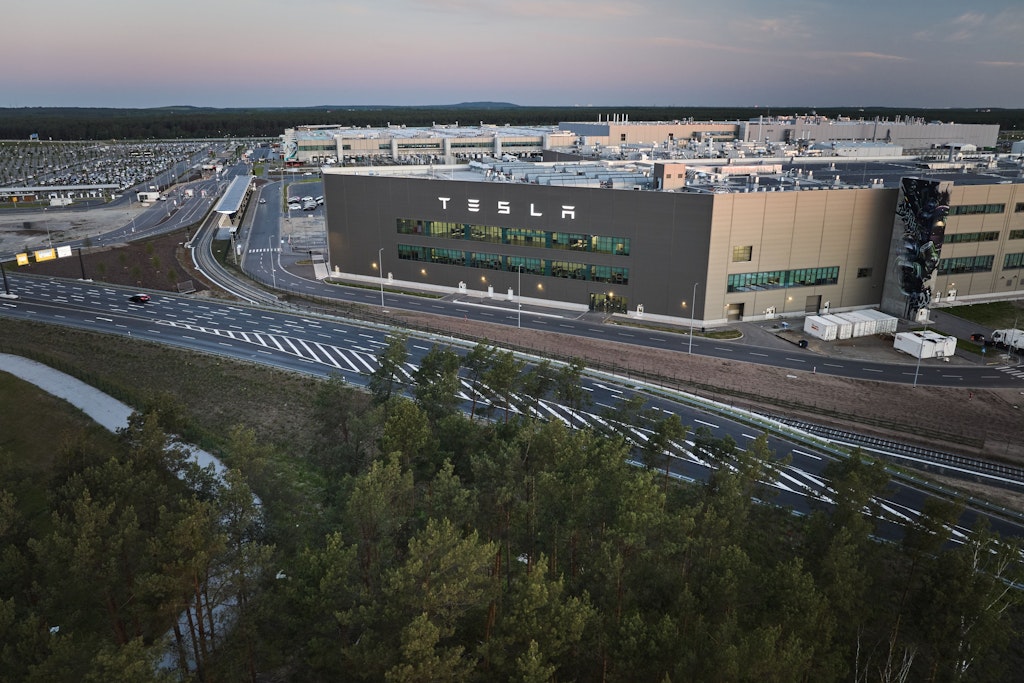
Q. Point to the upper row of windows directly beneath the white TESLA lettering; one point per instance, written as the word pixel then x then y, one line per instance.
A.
pixel 520 237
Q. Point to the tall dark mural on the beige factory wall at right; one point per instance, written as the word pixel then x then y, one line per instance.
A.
pixel 918 236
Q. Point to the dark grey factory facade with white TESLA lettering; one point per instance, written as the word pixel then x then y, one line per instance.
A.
pixel 610 250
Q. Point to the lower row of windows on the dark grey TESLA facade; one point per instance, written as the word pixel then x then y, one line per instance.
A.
pixel 534 267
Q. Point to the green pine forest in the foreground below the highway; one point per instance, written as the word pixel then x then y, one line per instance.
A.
pixel 407 538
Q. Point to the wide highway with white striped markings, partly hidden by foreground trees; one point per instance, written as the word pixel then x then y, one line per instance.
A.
pixel 324 348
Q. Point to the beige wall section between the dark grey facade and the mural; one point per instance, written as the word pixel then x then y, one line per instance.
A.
pixel 789 231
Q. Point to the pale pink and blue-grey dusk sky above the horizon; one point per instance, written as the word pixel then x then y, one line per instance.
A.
pixel 798 54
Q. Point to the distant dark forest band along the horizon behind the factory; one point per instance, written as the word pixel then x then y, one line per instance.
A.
pixel 196 122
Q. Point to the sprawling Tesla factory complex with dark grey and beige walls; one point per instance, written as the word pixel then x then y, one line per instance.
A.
pixel 689 222
